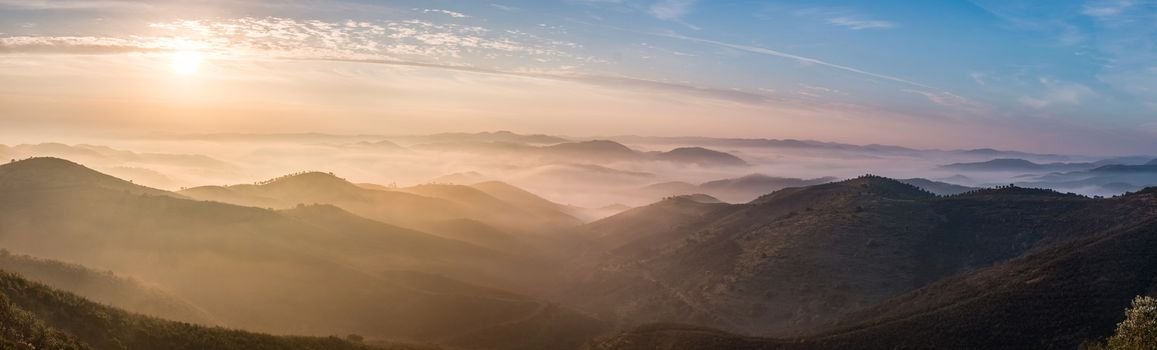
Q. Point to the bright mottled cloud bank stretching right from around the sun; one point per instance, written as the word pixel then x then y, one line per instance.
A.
pixel 278 38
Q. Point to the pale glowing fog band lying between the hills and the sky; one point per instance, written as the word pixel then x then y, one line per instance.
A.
pixel 591 178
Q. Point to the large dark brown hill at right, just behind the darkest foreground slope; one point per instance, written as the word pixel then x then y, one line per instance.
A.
pixel 799 259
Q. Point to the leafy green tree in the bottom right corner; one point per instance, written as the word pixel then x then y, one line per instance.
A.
pixel 1139 331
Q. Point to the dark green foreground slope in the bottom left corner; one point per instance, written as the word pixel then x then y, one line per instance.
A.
pixel 36 317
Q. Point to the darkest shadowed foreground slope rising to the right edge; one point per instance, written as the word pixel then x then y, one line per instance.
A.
pixel 1057 299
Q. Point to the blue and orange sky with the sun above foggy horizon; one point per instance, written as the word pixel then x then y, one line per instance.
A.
pixel 1058 77
